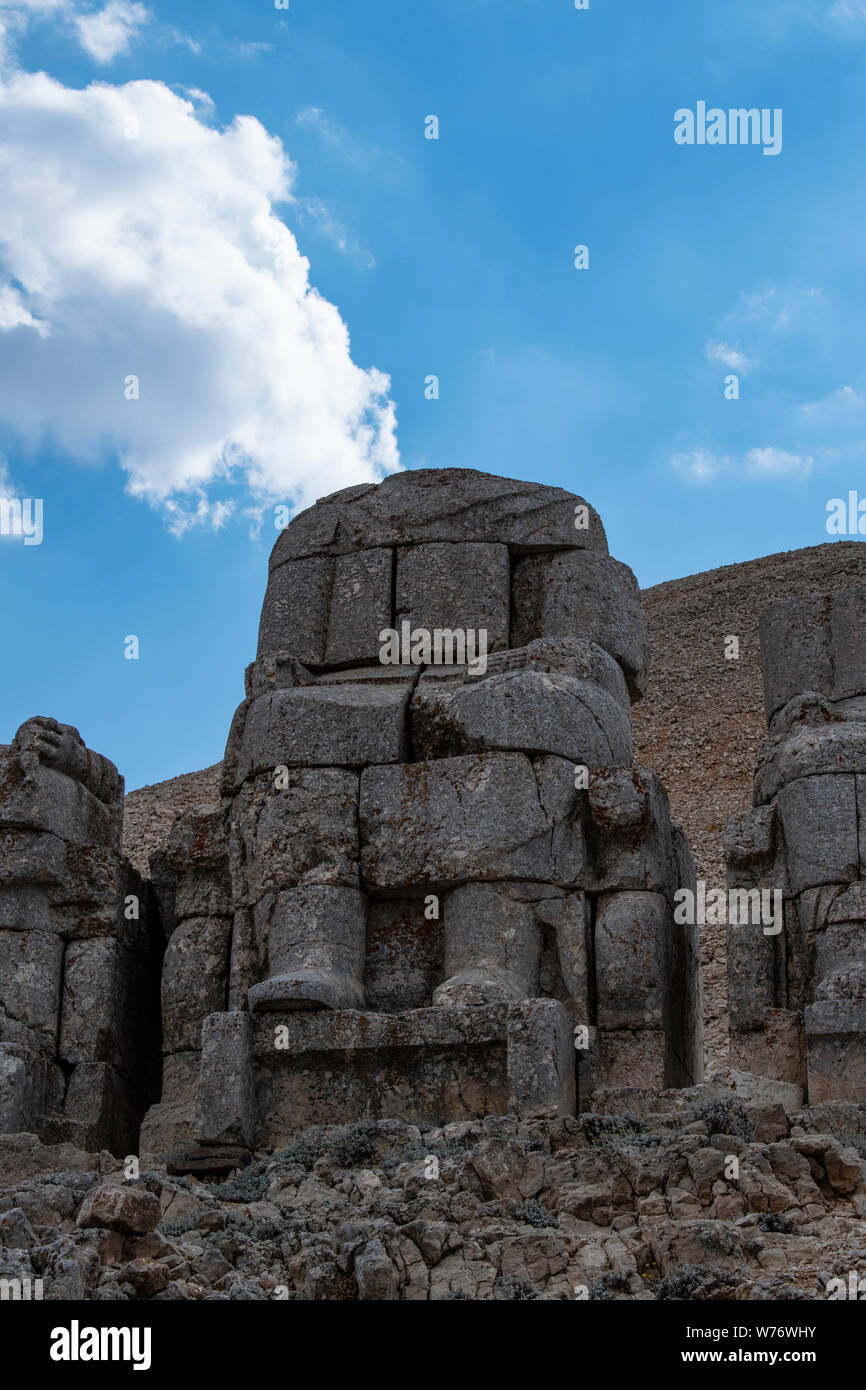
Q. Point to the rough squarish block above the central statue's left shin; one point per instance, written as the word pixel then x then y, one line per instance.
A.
pixel 304 832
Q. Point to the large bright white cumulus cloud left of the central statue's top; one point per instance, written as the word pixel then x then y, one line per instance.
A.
pixel 140 243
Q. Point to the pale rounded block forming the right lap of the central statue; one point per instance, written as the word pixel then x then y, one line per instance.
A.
pixel 523 711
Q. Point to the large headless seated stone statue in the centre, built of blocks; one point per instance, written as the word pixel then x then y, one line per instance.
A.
pixel 440 869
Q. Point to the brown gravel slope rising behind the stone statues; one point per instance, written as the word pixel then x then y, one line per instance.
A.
pixel 700 725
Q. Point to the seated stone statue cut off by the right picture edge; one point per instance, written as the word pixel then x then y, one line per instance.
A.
pixel 797 999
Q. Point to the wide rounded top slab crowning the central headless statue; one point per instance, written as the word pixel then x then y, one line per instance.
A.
pixel 429 505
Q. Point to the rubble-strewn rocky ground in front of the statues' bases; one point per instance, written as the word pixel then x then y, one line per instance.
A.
pixel 610 1207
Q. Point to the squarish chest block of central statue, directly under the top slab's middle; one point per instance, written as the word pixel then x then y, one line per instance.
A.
pixel 455 586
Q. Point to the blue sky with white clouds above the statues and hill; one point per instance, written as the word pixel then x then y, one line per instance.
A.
pixel 147 231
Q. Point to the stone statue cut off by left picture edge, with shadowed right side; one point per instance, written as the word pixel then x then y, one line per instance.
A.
pixel 80 949
